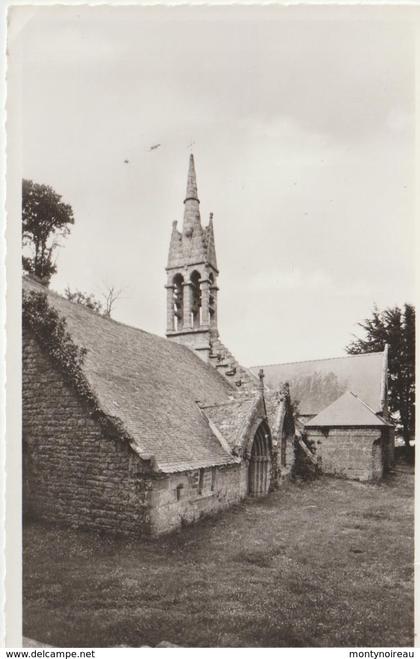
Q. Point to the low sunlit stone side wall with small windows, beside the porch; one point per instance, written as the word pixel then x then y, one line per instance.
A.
pixel 184 497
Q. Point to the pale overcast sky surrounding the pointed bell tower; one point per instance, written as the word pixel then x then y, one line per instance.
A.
pixel 301 122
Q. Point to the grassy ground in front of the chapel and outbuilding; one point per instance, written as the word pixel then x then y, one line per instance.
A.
pixel 326 563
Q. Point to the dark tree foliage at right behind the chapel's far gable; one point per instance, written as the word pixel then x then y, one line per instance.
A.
pixel 396 327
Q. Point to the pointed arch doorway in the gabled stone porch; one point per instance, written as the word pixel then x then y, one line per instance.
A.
pixel 260 463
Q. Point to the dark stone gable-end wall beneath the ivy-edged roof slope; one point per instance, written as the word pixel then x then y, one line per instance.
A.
pixel 72 473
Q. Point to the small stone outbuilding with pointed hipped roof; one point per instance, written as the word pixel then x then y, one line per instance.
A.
pixel 350 440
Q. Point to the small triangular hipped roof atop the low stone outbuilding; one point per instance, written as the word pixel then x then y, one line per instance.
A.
pixel 348 410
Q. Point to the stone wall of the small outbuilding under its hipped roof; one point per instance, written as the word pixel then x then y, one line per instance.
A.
pixel 354 453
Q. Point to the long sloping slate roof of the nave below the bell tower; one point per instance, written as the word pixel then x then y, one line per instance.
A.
pixel 151 385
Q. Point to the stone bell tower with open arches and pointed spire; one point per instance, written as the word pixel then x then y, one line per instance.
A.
pixel 192 277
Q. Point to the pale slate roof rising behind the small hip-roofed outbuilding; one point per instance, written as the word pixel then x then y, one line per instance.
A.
pixel 317 383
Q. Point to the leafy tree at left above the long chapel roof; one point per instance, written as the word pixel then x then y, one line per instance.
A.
pixel 44 218
